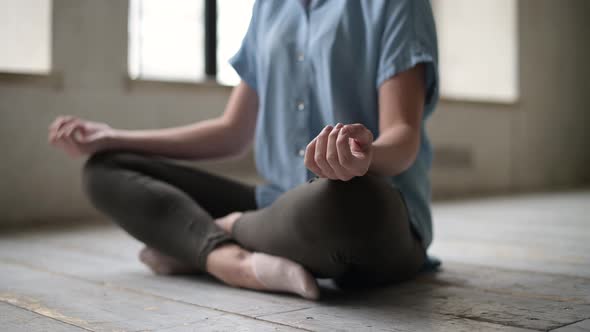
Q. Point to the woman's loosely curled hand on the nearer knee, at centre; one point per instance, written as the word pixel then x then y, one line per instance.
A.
pixel 341 152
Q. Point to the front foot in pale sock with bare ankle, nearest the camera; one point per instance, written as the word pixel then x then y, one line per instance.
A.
pixel 240 268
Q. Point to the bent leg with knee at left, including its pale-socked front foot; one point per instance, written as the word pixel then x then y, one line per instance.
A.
pixel 171 208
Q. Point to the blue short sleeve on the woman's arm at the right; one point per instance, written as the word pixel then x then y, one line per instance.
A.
pixel 409 38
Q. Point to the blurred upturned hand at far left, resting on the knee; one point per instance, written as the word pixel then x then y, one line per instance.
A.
pixel 78 137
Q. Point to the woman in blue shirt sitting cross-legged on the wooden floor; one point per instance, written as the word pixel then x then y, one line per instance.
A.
pixel 335 95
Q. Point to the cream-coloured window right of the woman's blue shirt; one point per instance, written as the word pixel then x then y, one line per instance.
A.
pixel 478 49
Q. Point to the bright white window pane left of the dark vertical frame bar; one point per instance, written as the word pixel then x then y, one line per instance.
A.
pixel 166 40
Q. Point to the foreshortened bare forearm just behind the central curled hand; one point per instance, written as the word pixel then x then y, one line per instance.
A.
pixel 395 150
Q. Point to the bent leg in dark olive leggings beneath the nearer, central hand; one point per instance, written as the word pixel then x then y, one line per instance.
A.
pixel 356 232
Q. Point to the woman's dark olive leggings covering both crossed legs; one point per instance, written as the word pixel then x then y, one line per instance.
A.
pixel 356 232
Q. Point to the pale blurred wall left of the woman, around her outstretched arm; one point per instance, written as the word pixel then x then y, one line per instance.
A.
pixel 39 183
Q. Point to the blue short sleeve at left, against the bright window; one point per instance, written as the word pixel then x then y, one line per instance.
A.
pixel 244 61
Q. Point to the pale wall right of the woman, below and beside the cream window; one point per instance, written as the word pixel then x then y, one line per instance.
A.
pixel 539 142
